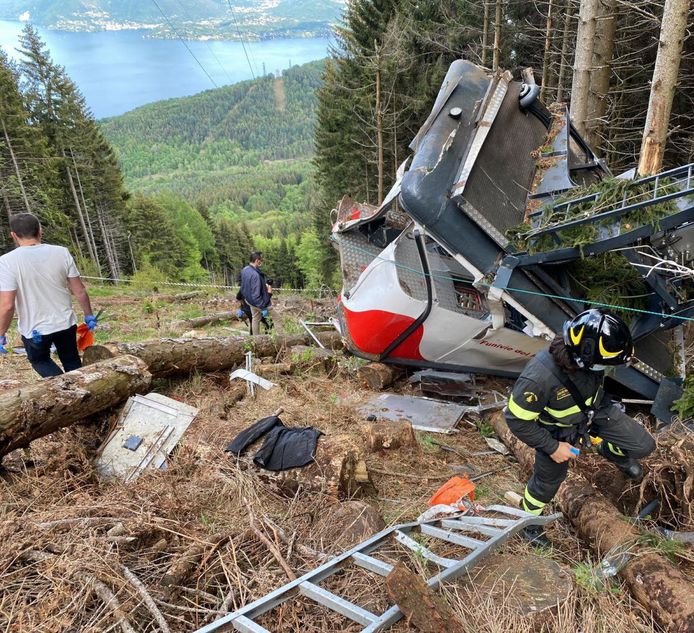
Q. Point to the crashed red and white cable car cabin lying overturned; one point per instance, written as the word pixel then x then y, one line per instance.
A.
pixel 430 278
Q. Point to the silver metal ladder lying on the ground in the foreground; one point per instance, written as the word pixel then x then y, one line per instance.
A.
pixel 453 530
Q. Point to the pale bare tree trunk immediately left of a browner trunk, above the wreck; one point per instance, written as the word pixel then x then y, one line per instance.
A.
pixel 583 64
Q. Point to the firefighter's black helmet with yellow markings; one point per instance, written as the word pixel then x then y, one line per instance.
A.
pixel 595 337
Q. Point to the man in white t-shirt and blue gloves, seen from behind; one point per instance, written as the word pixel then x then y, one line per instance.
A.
pixel 36 279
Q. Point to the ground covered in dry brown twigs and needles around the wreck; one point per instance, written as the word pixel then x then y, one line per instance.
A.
pixel 80 554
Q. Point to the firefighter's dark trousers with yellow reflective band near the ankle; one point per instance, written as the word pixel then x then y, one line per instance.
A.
pixel 625 439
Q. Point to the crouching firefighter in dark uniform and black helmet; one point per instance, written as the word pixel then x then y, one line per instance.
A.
pixel 558 404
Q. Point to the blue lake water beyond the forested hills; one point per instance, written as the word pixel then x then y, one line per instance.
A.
pixel 121 70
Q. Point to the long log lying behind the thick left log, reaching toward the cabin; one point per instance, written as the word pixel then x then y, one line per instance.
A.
pixel 166 357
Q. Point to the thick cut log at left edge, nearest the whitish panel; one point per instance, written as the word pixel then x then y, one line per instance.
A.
pixel 40 408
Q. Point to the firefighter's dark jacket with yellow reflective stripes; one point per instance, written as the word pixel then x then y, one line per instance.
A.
pixel 541 411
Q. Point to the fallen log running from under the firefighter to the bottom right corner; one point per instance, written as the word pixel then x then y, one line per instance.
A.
pixel 655 582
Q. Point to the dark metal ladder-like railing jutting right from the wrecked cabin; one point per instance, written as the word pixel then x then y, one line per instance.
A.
pixel 681 177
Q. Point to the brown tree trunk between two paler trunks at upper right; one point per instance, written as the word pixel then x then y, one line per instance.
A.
pixel 602 71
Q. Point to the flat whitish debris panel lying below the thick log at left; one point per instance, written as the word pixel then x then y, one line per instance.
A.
pixel 147 430
